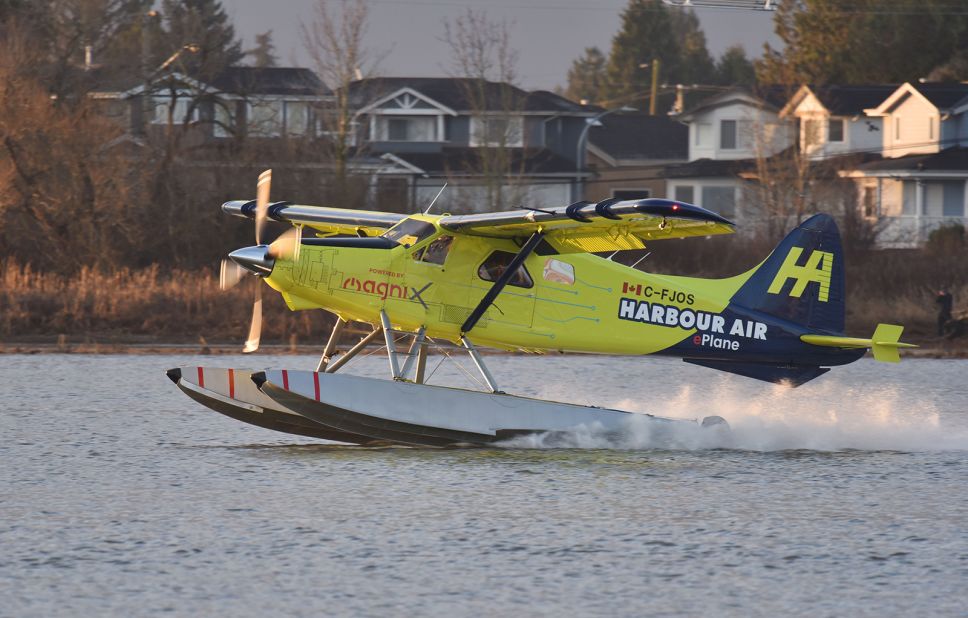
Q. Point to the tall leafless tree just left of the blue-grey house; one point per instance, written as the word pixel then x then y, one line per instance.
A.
pixel 334 40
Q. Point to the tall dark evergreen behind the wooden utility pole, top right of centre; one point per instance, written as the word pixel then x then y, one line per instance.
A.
pixel 651 30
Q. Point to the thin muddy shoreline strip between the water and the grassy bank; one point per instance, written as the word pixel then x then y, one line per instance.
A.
pixel 939 350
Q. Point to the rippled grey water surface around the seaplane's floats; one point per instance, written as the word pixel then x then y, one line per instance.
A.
pixel 846 497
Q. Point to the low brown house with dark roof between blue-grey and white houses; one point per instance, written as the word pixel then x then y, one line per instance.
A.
pixel 628 154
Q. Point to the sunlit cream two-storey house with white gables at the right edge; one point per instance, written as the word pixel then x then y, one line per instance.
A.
pixel 921 183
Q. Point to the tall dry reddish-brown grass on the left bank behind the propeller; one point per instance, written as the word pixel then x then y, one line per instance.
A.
pixel 141 305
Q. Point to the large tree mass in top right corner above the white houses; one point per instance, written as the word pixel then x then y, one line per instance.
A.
pixel 863 41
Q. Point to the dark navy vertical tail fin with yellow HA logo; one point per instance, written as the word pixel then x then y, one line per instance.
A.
pixel 802 281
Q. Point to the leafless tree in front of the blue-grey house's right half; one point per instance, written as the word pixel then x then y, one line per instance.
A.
pixel 484 60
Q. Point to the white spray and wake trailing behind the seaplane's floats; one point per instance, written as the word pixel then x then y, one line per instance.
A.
pixel 827 417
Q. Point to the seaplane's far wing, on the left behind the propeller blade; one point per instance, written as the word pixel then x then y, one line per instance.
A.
pixel 321 218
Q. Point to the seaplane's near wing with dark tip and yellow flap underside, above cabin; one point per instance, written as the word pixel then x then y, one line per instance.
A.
pixel 584 227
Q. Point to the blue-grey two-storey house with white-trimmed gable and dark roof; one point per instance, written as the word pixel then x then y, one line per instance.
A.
pixel 496 146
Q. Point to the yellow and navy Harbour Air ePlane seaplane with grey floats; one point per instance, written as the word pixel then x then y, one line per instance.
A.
pixel 526 280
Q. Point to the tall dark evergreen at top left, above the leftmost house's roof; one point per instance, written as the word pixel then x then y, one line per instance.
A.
pixel 201 23
